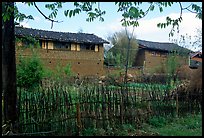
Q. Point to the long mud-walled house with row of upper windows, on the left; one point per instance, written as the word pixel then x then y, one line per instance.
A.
pixel 84 52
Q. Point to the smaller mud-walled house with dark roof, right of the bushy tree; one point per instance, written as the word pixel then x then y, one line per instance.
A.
pixel 154 54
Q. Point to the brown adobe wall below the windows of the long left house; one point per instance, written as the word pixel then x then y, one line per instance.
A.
pixel 82 62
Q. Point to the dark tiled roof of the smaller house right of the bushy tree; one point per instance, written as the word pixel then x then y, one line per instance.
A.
pixel 163 46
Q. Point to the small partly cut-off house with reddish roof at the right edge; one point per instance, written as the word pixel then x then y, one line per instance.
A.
pixel 195 60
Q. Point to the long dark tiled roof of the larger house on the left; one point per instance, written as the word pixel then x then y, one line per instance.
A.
pixel 59 36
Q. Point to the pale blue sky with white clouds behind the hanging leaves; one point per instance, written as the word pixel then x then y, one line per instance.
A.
pixel 147 29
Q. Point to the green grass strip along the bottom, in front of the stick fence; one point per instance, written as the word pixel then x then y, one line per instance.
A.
pixel 190 125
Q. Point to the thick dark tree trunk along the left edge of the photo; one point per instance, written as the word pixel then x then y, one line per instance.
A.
pixel 9 89
